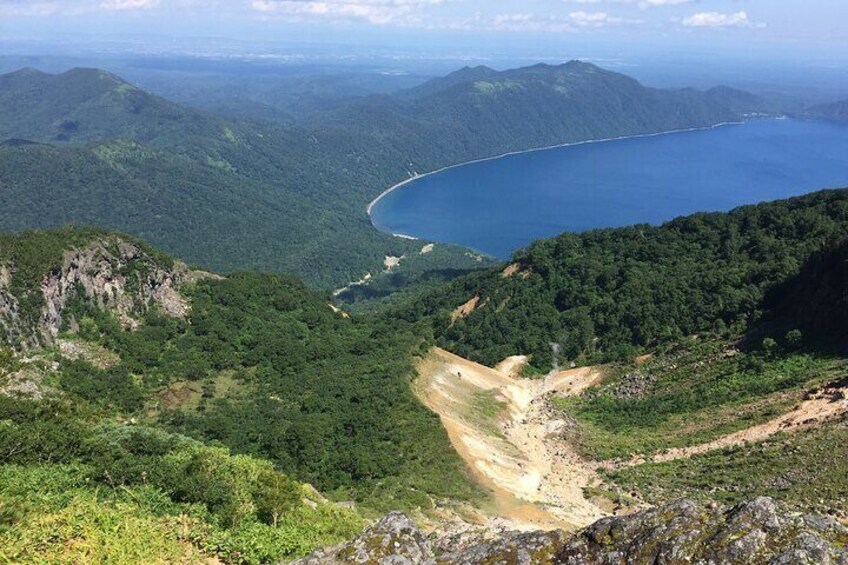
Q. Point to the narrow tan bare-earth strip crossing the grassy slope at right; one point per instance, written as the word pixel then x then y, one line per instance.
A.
pixel 829 402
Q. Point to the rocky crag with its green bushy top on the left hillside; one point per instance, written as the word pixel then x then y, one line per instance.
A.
pixel 109 271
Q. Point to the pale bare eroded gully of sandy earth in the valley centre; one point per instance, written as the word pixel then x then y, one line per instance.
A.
pixel 536 479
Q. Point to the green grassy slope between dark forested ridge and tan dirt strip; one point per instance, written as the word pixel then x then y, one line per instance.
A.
pixel 691 394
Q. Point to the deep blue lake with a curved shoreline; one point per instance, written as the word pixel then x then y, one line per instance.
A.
pixel 501 205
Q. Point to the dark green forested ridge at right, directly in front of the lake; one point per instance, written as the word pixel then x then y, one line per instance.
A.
pixel 608 294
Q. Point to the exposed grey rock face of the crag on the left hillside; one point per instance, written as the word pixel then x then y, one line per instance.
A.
pixel 110 273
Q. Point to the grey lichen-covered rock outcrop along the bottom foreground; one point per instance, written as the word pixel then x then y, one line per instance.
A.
pixel 678 533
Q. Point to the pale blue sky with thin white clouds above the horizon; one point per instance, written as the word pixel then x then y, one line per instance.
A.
pixel 705 24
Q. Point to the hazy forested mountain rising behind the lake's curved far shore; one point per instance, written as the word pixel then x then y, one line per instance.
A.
pixel 518 109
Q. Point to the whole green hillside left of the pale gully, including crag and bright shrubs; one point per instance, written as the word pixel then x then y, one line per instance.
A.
pixel 114 355
